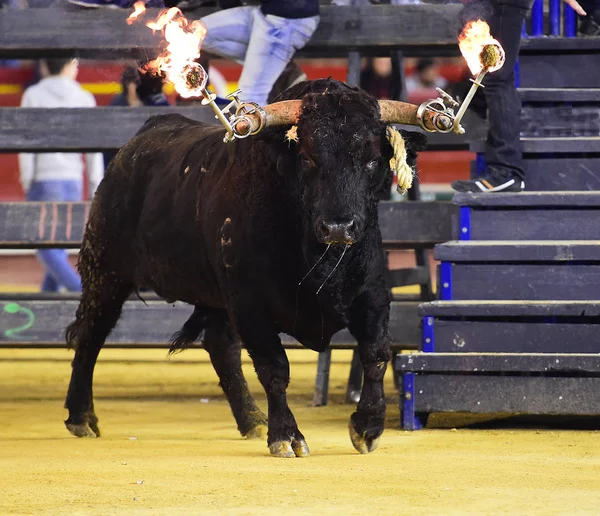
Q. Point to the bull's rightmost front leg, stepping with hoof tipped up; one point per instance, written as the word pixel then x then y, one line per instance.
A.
pixel 369 317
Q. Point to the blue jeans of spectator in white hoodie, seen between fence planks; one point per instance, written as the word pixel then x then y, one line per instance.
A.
pixel 59 271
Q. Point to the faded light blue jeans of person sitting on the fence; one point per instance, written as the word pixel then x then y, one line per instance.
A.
pixel 264 44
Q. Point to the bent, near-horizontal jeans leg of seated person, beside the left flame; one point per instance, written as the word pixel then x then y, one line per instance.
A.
pixel 228 33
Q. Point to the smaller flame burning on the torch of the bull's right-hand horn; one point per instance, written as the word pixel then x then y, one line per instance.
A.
pixel 473 40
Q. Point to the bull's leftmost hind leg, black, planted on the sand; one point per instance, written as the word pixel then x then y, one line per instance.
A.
pixel 98 312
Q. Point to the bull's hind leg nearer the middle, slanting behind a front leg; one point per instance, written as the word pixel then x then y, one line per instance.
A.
pixel 225 354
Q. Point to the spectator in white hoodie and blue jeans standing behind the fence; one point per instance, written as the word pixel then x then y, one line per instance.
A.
pixel 58 176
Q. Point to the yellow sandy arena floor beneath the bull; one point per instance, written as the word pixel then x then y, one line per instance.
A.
pixel 170 446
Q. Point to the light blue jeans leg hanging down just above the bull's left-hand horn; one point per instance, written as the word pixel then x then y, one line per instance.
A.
pixel 273 42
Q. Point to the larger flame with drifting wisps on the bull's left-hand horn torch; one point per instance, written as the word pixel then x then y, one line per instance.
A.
pixel 178 60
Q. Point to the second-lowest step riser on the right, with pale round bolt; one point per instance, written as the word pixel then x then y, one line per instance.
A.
pixel 515 336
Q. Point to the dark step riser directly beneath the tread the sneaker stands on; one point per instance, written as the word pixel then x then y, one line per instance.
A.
pixel 541 224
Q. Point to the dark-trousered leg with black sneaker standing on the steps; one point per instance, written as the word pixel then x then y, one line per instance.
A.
pixel 503 154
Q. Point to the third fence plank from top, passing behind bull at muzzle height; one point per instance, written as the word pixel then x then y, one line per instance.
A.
pixel 34 225
